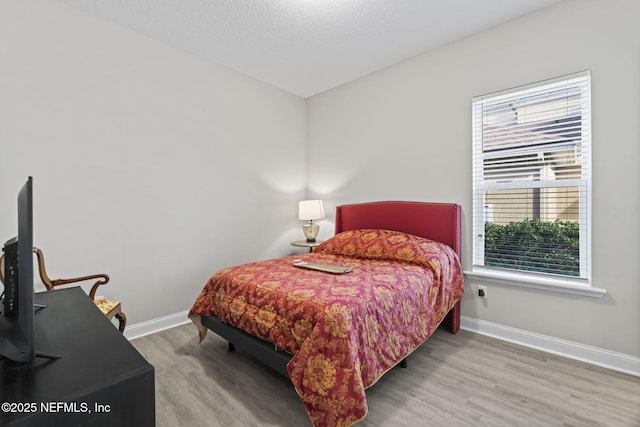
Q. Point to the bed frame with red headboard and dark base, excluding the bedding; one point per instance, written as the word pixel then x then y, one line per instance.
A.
pixel 435 221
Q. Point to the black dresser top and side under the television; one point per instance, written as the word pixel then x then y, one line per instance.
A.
pixel 98 379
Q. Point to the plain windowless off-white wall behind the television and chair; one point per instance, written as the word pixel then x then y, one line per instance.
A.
pixel 149 164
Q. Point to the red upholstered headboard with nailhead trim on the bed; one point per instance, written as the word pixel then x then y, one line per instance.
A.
pixel 435 221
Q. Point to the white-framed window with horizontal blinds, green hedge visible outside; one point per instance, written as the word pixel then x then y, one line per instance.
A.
pixel 531 181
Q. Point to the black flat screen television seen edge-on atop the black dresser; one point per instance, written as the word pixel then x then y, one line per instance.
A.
pixel 17 308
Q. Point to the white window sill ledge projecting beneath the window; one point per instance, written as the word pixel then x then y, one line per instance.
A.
pixel 547 284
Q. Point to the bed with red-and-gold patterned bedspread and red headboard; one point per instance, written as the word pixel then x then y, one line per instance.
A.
pixel 335 335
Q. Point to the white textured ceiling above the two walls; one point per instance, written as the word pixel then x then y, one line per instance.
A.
pixel 308 46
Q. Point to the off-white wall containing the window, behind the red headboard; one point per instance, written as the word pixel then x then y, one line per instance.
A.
pixel 405 133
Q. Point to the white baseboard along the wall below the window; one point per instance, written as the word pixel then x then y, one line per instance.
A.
pixel 593 355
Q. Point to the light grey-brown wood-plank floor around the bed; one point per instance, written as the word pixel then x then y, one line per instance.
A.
pixel 452 380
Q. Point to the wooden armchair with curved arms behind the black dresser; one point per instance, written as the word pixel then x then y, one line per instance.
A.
pixel 109 308
